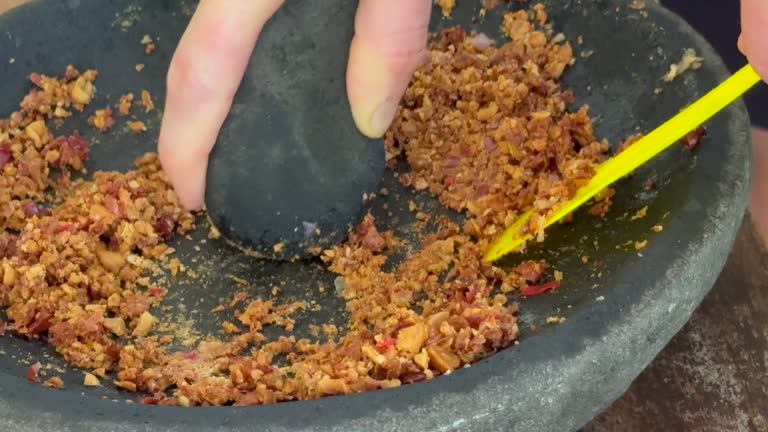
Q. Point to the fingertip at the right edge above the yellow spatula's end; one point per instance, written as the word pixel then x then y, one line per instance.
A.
pixel 754 37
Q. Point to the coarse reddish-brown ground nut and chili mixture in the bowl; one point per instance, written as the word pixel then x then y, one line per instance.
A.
pixel 486 129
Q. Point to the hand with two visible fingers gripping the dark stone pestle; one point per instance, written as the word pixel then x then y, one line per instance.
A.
pixel 210 61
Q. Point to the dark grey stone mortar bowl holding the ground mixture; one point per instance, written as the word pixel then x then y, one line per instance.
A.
pixel 619 314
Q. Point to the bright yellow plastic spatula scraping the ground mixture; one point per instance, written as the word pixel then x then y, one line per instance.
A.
pixel 635 155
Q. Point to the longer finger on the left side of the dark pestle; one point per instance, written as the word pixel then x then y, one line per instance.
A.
pixel 203 77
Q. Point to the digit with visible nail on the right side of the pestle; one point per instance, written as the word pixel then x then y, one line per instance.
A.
pixel 389 44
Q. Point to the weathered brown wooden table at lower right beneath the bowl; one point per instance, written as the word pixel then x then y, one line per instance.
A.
pixel 713 376
